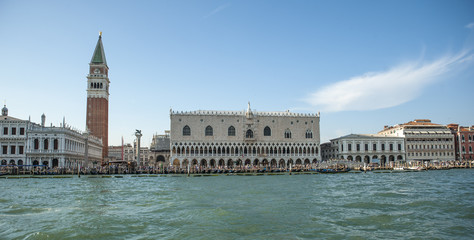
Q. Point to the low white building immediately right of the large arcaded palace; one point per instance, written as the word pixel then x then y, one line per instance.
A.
pixel 369 148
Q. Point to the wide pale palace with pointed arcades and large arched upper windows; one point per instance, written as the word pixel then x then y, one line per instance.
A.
pixel 230 138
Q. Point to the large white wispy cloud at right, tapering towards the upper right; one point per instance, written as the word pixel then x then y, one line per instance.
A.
pixel 377 90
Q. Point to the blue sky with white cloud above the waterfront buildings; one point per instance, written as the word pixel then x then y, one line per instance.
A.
pixel 361 64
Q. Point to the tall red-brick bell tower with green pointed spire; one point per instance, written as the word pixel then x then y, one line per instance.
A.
pixel 97 119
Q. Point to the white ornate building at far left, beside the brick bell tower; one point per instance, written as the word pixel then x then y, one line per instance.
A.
pixel 28 143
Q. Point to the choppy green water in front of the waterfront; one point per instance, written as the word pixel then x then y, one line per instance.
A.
pixel 412 205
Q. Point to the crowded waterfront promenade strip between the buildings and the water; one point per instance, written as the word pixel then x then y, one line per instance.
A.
pixel 334 167
